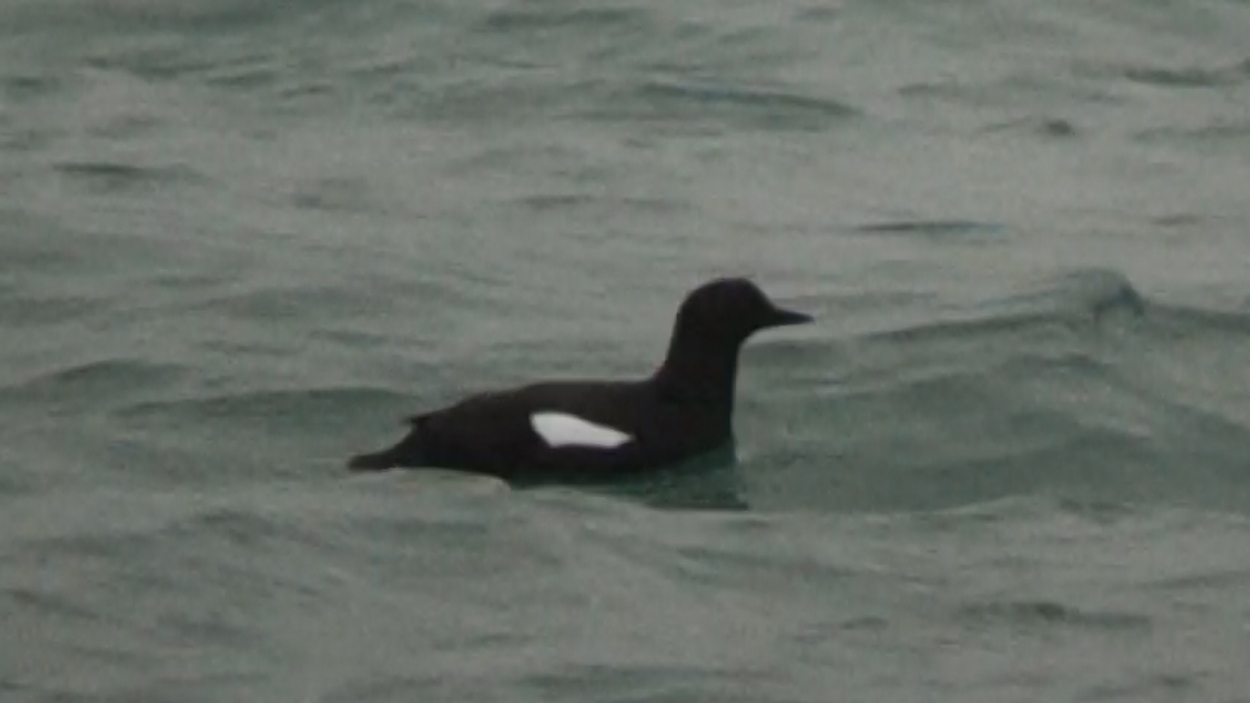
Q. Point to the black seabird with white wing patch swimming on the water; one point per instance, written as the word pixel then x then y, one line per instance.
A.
pixel 602 431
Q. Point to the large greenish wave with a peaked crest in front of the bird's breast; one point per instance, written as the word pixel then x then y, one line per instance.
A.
pixel 1082 388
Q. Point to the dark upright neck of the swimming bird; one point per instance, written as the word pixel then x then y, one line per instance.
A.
pixel 698 372
